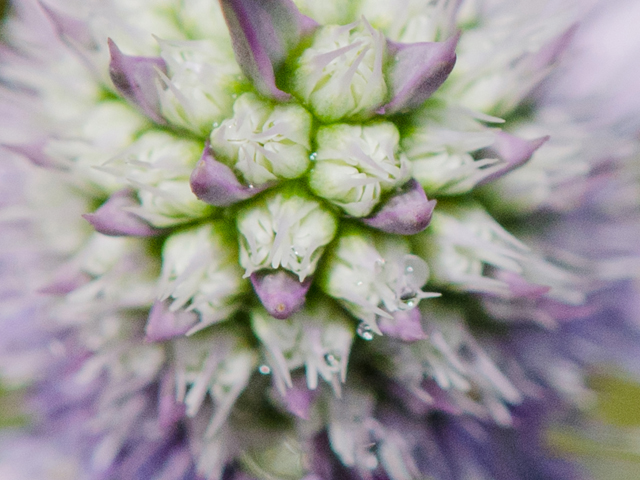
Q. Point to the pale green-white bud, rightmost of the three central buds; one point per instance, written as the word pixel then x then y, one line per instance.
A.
pixel 356 164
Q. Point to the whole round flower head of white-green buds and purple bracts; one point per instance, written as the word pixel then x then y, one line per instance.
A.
pixel 269 238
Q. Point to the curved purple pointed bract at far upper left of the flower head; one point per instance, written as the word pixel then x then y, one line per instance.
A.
pixel 135 79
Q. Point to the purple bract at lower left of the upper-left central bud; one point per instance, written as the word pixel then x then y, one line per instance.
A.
pixel 215 183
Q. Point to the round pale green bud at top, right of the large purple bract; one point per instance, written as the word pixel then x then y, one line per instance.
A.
pixel 340 75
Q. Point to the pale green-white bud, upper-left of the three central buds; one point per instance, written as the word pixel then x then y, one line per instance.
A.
pixel 264 142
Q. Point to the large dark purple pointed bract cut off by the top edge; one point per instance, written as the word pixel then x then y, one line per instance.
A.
pixel 263 32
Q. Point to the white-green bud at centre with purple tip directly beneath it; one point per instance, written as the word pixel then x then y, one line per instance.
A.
pixel 284 230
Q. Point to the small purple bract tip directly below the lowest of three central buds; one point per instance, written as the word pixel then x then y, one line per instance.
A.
pixel 280 291
